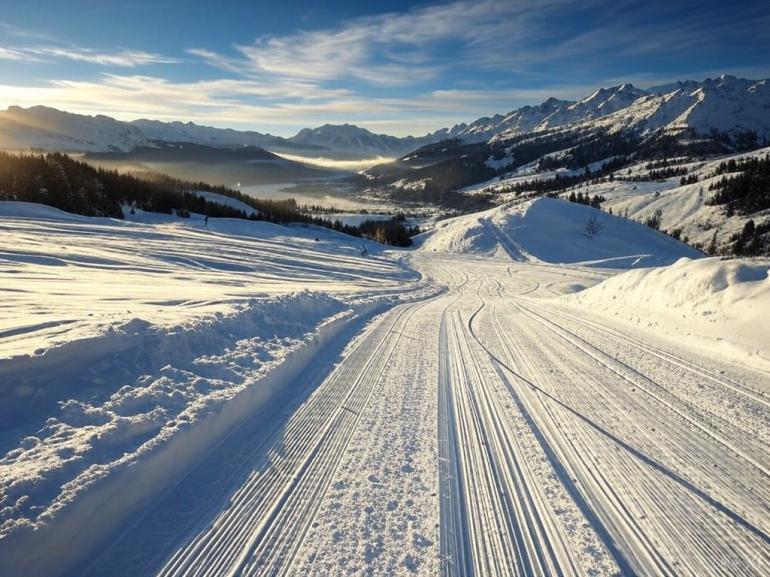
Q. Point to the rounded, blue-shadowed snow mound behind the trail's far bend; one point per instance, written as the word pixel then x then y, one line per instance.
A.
pixel 554 231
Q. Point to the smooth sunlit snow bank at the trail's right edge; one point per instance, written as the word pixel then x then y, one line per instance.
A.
pixel 721 305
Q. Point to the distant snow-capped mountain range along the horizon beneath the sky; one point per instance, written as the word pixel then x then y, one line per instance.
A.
pixel 725 104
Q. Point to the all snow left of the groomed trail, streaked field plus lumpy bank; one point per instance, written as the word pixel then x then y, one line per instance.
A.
pixel 117 338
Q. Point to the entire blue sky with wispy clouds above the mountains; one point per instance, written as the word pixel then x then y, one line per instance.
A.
pixel 393 67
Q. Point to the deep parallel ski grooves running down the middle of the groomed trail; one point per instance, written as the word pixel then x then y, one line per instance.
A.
pixel 510 526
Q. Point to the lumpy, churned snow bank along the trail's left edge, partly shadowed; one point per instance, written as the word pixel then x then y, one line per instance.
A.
pixel 114 407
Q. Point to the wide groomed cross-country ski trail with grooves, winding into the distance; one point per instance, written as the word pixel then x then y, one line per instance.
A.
pixel 483 428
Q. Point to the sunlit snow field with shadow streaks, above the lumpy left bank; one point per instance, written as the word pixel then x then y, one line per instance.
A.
pixel 160 268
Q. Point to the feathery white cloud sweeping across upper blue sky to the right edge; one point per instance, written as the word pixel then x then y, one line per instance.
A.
pixel 419 45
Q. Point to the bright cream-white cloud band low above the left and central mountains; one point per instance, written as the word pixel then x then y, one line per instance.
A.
pixel 240 102
